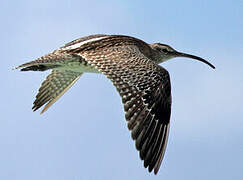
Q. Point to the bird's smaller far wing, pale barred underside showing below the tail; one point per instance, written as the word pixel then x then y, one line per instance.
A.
pixel 55 85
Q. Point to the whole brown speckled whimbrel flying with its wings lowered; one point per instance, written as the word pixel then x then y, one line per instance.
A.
pixel 132 66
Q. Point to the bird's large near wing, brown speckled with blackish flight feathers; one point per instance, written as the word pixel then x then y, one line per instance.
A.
pixel 146 94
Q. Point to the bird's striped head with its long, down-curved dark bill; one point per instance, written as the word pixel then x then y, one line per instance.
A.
pixel 165 52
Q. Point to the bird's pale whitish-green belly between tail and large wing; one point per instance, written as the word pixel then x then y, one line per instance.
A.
pixel 78 67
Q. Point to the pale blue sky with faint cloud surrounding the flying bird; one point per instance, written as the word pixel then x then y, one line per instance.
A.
pixel 84 135
